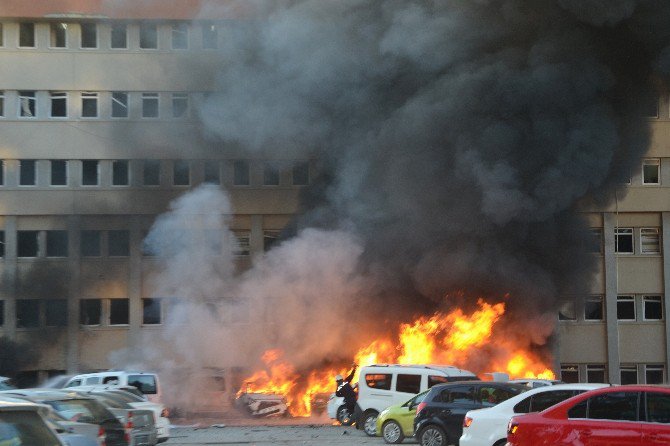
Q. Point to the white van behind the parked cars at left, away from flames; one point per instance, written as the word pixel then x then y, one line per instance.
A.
pixel 147 383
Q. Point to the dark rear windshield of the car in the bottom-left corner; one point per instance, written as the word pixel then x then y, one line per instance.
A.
pixel 25 428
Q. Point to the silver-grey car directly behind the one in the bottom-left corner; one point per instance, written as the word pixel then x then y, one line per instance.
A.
pixel 76 407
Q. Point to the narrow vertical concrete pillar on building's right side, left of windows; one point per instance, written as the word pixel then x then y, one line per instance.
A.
pixel 611 290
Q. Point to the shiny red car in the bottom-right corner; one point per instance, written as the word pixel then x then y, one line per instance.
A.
pixel 612 416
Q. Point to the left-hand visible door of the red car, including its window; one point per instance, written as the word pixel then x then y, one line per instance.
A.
pixel 609 419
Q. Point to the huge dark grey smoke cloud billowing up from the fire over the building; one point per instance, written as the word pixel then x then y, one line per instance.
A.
pixel 456 141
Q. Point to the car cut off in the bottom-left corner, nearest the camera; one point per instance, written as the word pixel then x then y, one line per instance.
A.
pixel 22 423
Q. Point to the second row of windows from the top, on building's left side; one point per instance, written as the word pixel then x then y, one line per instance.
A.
pixel 27 104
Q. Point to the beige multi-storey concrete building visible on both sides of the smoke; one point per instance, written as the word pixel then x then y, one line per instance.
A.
pixel 98 134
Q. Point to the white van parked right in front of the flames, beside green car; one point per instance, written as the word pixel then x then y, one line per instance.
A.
pixel 381 386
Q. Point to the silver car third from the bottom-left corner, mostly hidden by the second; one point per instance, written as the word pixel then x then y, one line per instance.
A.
pixel 139 423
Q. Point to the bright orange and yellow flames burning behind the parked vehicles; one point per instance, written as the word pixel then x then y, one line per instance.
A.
pixel 454 338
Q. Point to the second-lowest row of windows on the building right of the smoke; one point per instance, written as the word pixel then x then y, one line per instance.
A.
pixel 630 307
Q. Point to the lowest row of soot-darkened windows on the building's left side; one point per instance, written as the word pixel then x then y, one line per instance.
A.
pixel 36 313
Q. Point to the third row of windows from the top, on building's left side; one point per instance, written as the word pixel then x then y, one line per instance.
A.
pixel 150 172
